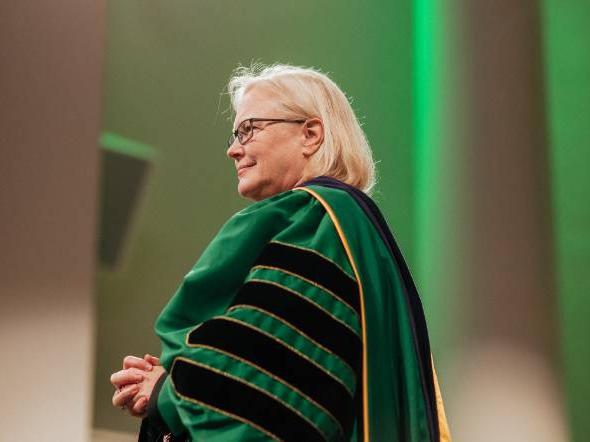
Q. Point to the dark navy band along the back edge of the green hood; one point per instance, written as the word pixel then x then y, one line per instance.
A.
pixel 417 317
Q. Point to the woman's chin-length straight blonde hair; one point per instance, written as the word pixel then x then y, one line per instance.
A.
pixel 345 153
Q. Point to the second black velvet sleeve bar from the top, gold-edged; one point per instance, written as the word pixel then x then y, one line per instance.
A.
pixel 303 315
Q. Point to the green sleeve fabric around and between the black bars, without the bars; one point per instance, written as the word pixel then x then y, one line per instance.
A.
pixel 208 289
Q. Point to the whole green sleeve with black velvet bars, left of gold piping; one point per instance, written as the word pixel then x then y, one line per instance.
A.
pixel 262 340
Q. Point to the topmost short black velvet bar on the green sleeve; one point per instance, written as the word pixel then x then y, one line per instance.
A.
pixel 314 267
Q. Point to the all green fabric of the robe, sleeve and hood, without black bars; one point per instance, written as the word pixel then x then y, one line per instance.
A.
pixel 396 404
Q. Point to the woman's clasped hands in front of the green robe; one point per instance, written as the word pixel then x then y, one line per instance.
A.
pixel 135 382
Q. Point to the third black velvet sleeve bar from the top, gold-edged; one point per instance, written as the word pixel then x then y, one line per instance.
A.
pixel 265 352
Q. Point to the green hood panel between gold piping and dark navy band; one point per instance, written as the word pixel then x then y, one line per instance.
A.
pixel 397 410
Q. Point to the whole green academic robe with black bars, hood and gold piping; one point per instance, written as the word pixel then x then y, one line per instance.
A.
pixel 299 322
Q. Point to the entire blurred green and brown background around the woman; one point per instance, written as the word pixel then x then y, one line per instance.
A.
pixel 114 178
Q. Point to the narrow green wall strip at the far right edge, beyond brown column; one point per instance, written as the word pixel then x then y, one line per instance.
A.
pixel 567 65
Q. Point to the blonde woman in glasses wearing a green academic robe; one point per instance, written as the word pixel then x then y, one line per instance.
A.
pixel 300 321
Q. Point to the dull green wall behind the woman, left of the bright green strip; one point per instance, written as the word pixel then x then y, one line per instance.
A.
pixel 166 67
